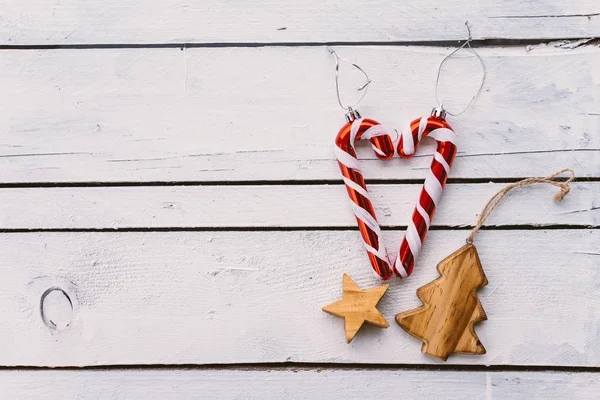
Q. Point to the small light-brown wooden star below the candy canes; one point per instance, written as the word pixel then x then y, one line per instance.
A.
pixel 357 307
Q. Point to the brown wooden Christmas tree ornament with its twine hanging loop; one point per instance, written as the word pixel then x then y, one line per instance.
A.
pixel 450 303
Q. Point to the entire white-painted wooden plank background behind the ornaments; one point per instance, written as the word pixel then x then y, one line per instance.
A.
pixel 172 218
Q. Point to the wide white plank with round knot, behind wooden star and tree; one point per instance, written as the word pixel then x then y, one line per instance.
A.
pixel 237 297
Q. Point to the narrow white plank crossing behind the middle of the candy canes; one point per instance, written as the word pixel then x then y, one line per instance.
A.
pixel 281 206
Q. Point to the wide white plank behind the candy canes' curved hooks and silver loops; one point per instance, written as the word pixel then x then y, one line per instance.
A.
pixel 209 114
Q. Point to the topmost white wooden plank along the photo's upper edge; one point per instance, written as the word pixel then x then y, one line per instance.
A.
pixel 37 22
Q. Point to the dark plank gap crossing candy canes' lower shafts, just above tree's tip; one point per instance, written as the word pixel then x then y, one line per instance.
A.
pixel 298 228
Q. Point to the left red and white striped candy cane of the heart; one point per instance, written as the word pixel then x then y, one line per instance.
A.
pixel 356 129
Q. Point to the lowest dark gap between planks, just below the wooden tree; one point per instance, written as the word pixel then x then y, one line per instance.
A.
pixel 321 366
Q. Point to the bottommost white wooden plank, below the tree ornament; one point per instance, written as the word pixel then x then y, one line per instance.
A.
pixel 297 383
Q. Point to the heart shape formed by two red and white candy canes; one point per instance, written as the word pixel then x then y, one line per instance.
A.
pixel 345 152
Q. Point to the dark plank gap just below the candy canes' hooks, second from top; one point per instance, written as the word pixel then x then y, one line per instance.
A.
pixel 313 182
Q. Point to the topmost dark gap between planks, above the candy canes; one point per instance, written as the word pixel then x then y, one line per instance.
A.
pixel 492 42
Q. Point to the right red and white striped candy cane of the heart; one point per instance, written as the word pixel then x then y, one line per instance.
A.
pixel 437 128
